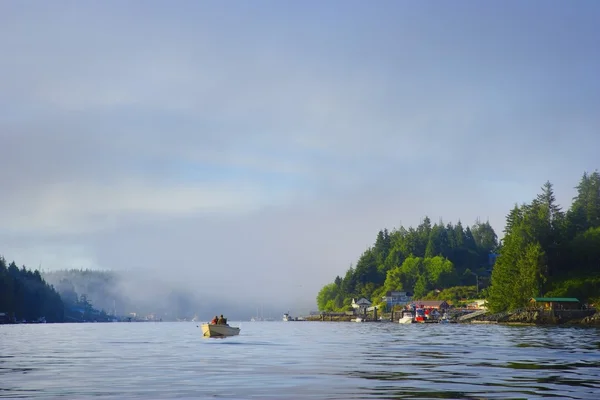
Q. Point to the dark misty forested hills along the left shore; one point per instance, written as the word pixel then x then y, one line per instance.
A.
pixel 78 295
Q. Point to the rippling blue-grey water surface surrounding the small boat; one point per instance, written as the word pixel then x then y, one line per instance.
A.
pixel 299 360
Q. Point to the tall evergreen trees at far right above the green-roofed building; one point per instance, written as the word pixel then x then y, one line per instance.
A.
pixel 547 252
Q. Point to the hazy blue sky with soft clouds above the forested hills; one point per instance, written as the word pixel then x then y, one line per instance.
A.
pixel 251 151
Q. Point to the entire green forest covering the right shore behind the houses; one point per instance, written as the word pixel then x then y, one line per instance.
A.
pixel 544 252
